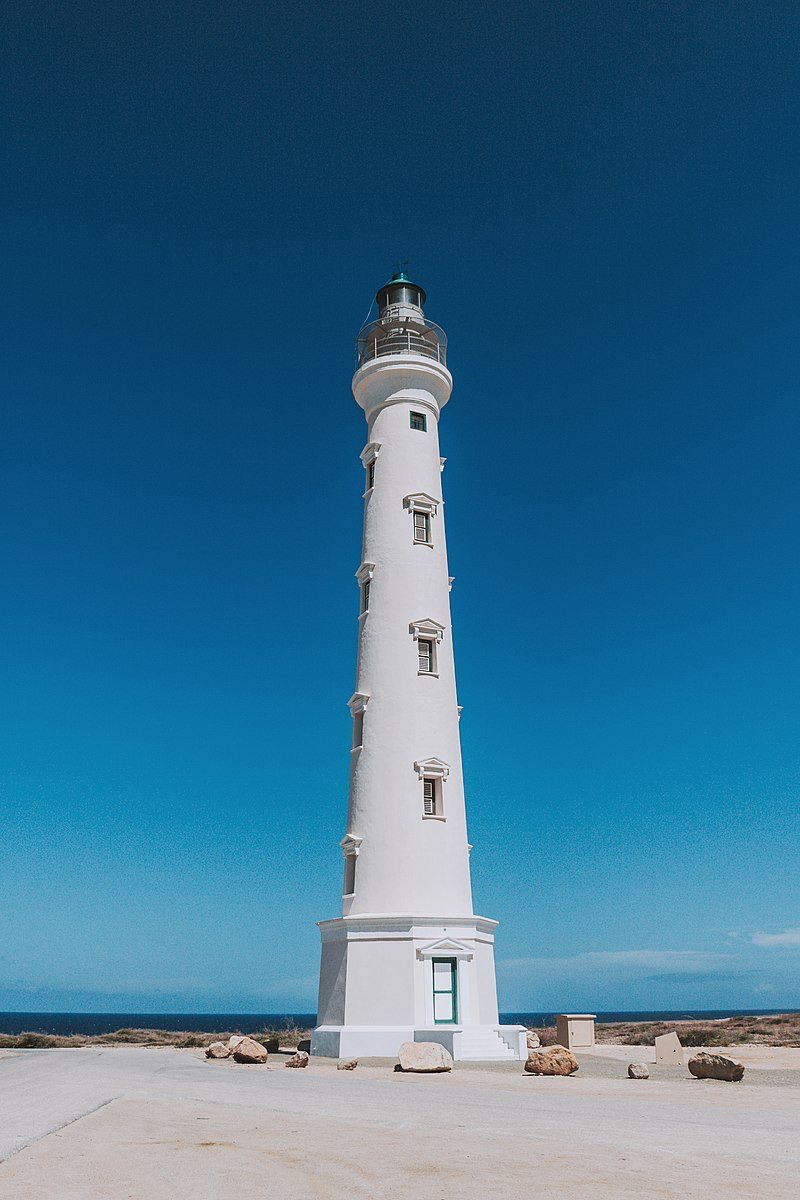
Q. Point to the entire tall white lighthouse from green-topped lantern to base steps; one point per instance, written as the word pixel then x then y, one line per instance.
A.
pixel 408 959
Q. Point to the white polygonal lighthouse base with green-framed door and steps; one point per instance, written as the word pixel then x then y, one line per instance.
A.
pixel 388 980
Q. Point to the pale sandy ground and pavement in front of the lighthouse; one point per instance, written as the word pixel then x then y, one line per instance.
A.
pixel 161 1124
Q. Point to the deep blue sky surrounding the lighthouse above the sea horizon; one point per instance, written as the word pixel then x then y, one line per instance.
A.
pixel 199 203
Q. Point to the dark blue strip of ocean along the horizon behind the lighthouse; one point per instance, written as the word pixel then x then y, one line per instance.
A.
pixel 92 1024
